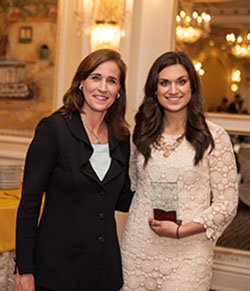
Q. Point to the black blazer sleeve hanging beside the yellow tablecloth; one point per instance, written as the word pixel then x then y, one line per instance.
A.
pixel 40 161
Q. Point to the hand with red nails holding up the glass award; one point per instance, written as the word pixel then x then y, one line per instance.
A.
pixel 163 227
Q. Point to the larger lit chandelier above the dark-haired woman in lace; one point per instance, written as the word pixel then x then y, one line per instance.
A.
pixel 191 27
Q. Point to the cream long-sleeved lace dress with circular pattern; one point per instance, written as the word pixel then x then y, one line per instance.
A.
pixel 151 262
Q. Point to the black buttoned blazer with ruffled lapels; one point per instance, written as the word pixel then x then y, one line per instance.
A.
pixel 75 246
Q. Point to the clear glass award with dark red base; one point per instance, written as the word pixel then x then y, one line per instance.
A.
pixel 165 202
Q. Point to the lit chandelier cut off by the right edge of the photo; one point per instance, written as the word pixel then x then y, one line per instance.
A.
pixel 240 46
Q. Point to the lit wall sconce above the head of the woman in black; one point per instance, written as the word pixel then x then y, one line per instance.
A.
pixel 103 20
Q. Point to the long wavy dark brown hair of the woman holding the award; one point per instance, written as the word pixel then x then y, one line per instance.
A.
pixel 149 118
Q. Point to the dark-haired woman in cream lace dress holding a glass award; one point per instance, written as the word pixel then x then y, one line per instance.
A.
pixel 174 143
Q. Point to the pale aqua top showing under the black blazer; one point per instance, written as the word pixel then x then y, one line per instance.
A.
pixel 100 159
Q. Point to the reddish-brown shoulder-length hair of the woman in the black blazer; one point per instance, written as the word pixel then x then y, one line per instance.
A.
pixel 73 99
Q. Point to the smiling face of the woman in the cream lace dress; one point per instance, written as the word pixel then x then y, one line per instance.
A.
pixel 173 88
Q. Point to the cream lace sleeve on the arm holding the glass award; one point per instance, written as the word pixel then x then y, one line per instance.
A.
pixel 224 187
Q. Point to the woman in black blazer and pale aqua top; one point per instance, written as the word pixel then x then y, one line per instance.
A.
pixel 79 158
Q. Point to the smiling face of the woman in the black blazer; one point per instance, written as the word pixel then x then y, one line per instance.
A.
pixel 101 87
